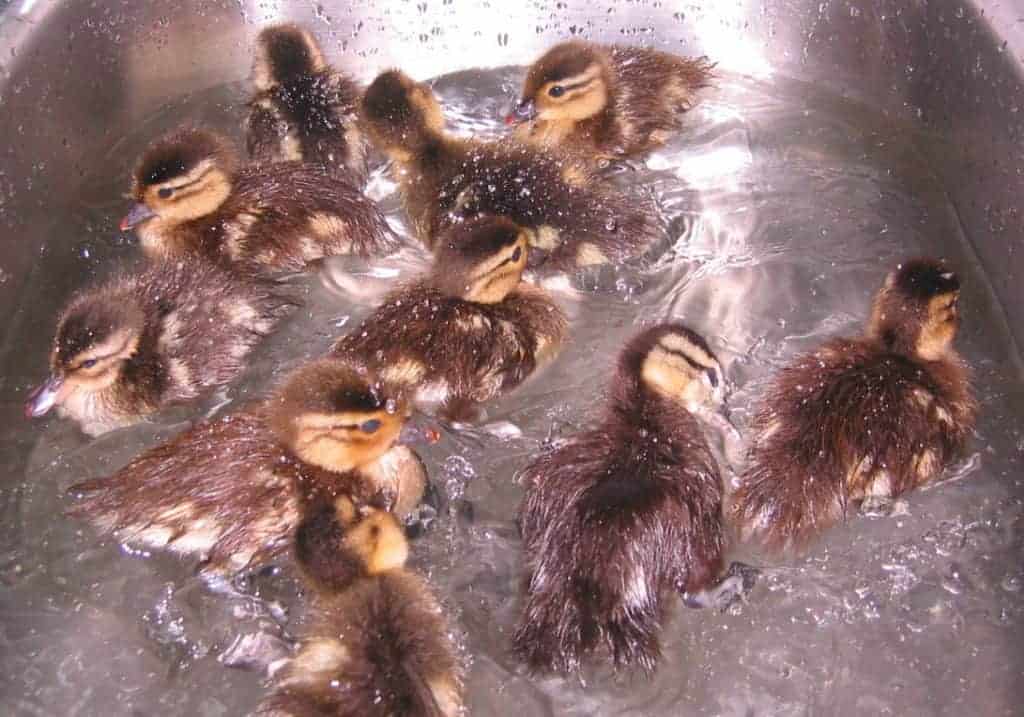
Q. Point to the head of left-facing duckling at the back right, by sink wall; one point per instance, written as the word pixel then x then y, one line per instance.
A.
pixel 570 83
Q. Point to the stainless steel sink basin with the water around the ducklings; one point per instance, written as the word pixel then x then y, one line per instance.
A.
pixel 915 615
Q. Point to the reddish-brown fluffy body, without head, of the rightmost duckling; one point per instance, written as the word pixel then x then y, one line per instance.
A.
pixel 840 425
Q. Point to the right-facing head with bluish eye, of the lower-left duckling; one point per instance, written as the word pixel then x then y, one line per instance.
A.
pixel 335 416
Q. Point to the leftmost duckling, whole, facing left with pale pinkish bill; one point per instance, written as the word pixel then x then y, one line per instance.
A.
pixel 142 342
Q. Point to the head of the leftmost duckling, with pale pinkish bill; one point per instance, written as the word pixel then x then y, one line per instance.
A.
pixel 96 336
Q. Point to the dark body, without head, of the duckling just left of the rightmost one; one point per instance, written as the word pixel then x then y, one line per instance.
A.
pixel 611 523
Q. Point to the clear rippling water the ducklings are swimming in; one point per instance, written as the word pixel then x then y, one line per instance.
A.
pixel 789 206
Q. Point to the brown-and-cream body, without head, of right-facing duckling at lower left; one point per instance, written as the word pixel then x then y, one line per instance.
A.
pixel 222 491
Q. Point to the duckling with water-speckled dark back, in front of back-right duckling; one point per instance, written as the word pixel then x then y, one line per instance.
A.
pixel 575 220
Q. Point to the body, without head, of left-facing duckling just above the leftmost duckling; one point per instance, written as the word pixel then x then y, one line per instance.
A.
pixel 288 215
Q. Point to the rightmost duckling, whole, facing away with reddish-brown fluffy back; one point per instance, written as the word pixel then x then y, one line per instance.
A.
pixel 861 419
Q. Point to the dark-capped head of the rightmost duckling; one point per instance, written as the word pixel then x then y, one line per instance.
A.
pixel 917 312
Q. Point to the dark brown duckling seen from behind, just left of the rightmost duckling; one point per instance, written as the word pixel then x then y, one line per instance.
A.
pixel 625 514
